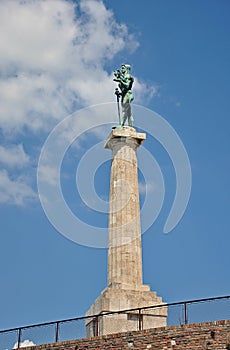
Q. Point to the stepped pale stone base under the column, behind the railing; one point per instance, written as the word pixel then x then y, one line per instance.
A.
pixel 119 298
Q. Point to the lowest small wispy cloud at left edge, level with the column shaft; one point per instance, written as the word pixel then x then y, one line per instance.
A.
pixel 14 190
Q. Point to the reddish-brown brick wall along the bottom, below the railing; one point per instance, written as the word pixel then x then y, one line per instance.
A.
pixel 210 335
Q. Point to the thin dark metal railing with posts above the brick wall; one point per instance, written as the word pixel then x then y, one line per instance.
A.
pixel 139 311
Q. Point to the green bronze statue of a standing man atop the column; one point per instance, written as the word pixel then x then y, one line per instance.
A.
pixel 125 81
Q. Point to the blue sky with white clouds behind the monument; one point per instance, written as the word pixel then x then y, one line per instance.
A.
pixel 56 58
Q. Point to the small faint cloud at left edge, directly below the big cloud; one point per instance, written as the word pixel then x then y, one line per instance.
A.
pixel 13 156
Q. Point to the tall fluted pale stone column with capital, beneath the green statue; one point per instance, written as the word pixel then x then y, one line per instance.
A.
pixel 125 254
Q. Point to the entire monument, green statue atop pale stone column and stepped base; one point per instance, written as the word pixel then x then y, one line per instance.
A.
pixel 125 288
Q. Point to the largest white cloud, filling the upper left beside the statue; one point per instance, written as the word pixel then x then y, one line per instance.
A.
pixel 52 57
